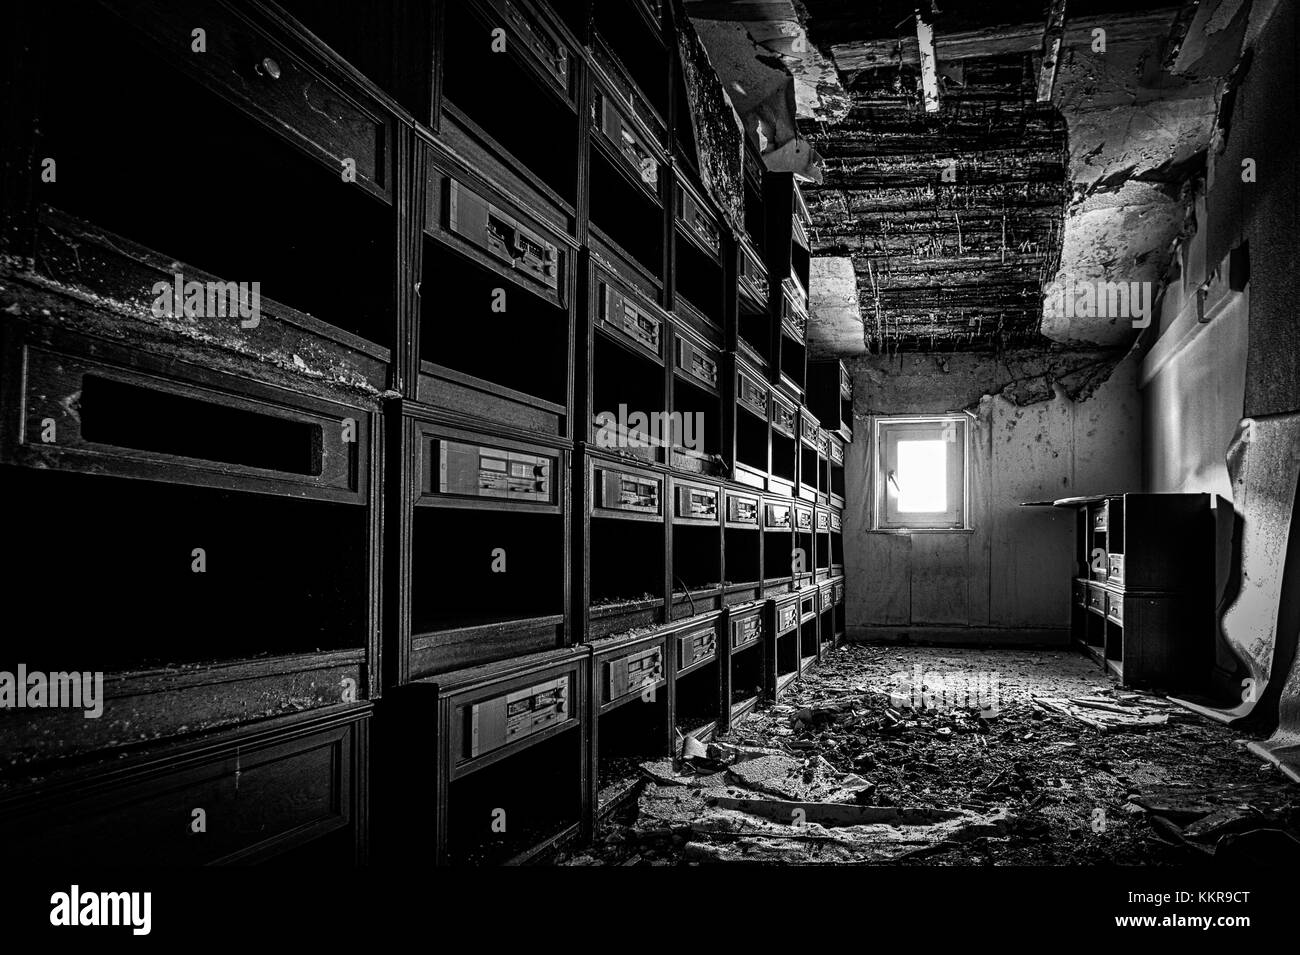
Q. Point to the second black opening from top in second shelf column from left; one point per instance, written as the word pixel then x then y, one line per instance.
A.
pixel 476 323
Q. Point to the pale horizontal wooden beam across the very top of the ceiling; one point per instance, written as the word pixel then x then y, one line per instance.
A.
pixel 999 41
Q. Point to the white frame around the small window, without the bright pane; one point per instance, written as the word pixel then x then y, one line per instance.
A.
pixel 886 432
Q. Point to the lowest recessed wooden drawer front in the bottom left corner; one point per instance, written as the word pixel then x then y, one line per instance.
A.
pixel 250 801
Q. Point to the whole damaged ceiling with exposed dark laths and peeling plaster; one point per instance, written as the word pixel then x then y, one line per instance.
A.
pixel 956 223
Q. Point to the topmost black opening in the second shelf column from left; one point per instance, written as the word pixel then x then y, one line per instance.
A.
pixel 474 77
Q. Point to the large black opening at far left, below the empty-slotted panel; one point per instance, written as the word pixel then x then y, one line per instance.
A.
pixel 202 575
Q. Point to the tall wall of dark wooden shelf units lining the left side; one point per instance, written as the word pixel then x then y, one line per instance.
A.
pixel 395 418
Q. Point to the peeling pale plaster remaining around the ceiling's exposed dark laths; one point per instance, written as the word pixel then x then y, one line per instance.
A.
pixel 1138 132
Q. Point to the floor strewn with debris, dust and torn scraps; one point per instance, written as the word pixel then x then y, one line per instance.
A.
pixel 913 756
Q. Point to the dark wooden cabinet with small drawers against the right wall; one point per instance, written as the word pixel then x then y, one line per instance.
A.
pixel 1143 591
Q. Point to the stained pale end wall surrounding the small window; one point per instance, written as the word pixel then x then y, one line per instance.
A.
pixel 1008 581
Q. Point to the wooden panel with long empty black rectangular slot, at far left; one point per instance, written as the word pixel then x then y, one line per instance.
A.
pixel 120 411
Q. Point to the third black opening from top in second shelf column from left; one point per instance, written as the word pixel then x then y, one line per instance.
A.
pixel 475 568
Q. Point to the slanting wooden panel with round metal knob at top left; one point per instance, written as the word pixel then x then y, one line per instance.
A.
pixel 245 66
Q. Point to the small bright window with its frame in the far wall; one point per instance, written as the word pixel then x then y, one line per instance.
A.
pixel 921 474
